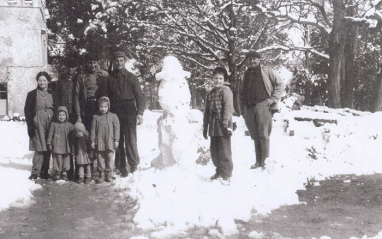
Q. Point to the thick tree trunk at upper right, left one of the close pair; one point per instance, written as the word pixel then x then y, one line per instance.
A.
pixel 336 53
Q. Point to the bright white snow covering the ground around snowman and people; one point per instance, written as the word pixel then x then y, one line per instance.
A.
pixel 174 199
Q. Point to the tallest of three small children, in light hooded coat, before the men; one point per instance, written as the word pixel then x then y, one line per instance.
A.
pixel 104 137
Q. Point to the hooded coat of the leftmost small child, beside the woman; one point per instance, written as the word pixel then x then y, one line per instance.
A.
pixel 60 134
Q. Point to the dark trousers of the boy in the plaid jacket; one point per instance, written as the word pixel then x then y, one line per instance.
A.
pixel 221 155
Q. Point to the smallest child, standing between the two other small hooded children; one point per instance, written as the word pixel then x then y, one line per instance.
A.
pixel 80 153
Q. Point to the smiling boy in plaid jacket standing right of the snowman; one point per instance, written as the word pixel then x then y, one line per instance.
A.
pixel 217 121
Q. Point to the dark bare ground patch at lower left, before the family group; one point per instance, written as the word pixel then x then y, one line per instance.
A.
pixel 68 211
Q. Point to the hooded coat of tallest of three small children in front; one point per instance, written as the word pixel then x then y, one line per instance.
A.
pixel 105 130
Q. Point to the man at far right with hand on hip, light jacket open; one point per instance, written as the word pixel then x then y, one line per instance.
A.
pixel 260 92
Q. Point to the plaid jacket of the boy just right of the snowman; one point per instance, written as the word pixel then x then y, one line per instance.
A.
pixel 218 110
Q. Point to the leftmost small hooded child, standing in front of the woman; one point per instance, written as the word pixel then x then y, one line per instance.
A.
pixel 58 143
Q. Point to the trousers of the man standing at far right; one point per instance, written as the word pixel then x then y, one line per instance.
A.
pixel 259 123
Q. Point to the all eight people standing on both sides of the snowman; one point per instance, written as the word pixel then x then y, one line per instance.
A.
pixel 96 94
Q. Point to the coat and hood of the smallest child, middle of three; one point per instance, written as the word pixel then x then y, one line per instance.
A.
pixel 80 146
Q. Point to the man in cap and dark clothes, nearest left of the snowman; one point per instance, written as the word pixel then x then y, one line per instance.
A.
pixel 128 102
